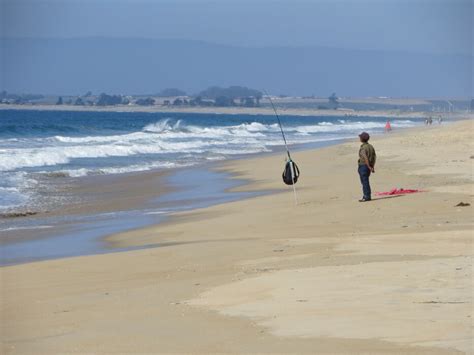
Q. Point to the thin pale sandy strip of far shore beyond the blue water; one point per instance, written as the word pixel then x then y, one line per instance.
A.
pixel 233 111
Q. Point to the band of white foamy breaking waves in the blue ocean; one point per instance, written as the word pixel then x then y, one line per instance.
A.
pixel 168 137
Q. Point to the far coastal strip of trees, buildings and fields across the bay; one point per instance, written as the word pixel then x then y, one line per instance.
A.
pixel 240 96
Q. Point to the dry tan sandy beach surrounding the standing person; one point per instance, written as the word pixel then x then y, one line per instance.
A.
pixel 261 275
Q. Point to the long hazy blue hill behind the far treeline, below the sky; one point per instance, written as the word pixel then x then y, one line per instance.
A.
pixel 144 66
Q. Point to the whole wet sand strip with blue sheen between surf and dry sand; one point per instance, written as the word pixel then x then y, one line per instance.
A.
pixel 128 198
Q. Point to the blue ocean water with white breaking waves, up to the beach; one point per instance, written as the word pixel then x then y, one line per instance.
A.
pixel 39 146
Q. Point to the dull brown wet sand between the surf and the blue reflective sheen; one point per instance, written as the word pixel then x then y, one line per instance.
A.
pixel 70 198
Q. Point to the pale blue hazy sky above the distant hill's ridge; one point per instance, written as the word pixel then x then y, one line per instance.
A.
pixel 441 26
